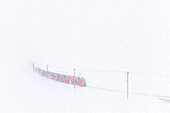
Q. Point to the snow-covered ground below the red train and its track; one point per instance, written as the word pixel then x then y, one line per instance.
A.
pixel 28 92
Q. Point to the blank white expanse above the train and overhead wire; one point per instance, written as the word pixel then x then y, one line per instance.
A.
pixel 104 34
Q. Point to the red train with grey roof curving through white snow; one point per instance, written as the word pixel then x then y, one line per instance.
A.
pixel 80 81
